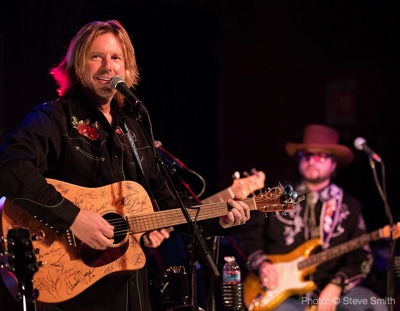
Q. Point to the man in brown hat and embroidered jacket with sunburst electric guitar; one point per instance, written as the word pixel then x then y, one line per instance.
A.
pixel 328 217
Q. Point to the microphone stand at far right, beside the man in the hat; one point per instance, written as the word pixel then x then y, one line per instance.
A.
pixel 392 242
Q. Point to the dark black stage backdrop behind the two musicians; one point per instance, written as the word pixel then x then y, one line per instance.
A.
pixel 227 83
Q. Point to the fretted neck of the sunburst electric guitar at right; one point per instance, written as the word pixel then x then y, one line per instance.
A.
pixel 340 250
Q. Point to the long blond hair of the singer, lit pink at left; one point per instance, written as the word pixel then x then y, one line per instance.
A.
pixel 69 73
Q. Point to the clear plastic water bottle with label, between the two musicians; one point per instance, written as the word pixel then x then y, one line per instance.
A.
pixel 232 288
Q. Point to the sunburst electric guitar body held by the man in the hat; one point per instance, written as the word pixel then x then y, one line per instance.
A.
pixel 291 279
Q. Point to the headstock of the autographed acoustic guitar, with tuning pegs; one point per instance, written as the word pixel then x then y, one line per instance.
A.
pixel 277 199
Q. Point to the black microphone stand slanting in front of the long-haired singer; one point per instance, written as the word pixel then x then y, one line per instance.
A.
pixel 193 227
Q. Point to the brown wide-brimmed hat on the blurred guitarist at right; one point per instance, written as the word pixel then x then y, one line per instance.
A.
pixel 318 136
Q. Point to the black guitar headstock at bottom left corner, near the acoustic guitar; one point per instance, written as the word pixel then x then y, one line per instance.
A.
pixel 21 261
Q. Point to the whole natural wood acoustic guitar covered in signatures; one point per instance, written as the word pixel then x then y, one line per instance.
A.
pixel 70 266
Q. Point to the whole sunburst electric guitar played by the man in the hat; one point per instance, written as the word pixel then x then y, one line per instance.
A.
pixel 294 266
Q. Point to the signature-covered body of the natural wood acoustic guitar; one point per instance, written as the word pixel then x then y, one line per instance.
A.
pixel 69 266
